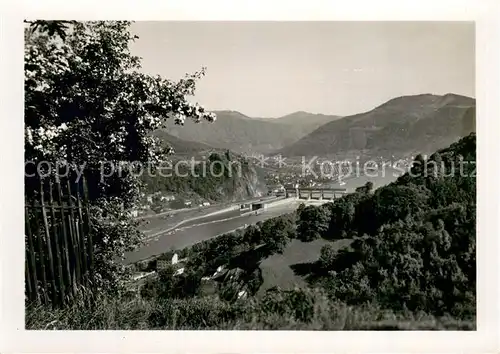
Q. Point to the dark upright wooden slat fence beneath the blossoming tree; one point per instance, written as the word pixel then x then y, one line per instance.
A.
pixel 59 247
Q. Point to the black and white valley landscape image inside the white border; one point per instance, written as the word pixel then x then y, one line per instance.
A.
pixel 250 175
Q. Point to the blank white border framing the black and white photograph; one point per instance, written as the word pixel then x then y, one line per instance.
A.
pixel 13 336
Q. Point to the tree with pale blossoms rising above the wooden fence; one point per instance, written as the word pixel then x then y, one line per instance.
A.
pixel 88 108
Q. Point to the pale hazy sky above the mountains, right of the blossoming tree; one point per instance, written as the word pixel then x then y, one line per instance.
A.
pixel 269 69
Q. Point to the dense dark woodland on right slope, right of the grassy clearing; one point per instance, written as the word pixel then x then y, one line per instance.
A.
pixel 418 252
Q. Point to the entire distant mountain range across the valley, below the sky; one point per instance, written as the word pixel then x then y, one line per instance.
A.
pixel 422 122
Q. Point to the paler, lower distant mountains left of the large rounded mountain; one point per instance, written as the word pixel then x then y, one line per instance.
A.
pixel 238 132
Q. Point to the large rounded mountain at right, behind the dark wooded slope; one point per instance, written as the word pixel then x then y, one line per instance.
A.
pixel 422 123
